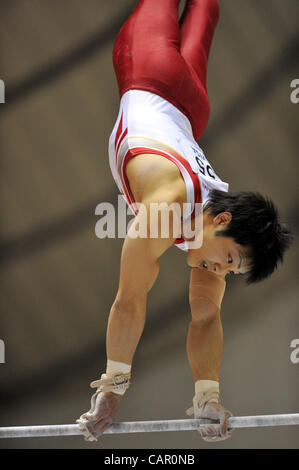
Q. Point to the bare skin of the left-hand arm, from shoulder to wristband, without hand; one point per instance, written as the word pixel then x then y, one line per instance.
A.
pixel 138 272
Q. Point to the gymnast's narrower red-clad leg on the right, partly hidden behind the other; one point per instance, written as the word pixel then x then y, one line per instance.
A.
pixel 197 24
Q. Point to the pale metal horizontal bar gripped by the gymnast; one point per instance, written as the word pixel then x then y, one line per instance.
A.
pixel 150 426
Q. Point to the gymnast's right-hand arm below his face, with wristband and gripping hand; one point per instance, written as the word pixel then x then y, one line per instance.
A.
pixel 204 349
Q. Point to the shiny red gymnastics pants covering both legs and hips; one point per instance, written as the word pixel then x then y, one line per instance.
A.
pixel 155 52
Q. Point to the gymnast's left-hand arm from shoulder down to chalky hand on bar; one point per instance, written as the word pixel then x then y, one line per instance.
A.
pixel 138 271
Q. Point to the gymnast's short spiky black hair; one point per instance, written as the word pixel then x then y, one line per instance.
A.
pixel 255 226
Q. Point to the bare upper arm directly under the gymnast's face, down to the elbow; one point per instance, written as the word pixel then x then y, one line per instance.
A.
pixel 206 288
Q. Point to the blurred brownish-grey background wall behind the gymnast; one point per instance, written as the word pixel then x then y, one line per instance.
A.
pixel 58 280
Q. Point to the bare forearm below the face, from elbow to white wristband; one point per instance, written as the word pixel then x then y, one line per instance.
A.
pixel 204 348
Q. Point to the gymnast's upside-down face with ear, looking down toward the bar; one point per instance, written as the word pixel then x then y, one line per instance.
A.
pixel 218 254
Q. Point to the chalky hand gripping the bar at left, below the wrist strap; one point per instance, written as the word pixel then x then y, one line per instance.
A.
pixel 104 406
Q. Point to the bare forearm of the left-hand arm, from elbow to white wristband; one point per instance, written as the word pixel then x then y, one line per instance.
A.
pixel 125 327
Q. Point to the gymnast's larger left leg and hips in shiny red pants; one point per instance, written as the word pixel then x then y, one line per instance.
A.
pixel 147 56
